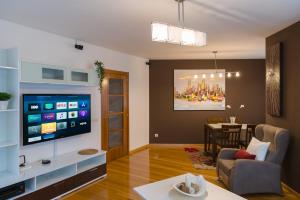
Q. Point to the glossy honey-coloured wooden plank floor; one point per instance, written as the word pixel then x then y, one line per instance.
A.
pixel 153 164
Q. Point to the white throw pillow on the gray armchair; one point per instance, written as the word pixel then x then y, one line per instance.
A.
pixel 258 148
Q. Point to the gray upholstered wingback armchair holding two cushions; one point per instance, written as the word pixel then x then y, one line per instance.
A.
pixel 252 176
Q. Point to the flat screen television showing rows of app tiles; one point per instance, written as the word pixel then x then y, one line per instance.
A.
pixel 52 116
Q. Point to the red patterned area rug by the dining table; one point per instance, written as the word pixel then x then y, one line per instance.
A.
pixel 199 160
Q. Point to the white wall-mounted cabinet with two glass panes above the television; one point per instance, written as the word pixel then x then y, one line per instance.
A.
pixel 43 73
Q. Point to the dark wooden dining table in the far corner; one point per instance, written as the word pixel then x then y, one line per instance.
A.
pixel 210 133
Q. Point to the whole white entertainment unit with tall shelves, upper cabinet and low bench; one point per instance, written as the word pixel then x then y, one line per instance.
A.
pixel 66 172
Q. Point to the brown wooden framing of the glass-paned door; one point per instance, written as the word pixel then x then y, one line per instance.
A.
pixel 105 106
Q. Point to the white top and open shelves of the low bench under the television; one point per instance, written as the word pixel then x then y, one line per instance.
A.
pixel 64 166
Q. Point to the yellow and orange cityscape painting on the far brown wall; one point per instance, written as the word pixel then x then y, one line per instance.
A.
pixel 199 89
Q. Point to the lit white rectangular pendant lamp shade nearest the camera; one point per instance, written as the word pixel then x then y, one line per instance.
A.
pixel 177 35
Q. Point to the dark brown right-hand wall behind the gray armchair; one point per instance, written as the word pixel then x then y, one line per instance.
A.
pixel 290 61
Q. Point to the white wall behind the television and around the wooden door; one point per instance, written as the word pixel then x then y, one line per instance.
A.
pixel 43 47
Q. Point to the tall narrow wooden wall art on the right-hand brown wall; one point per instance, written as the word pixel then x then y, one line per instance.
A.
pixel 273 86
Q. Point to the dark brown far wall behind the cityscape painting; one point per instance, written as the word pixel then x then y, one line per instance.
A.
pixel 187 126
